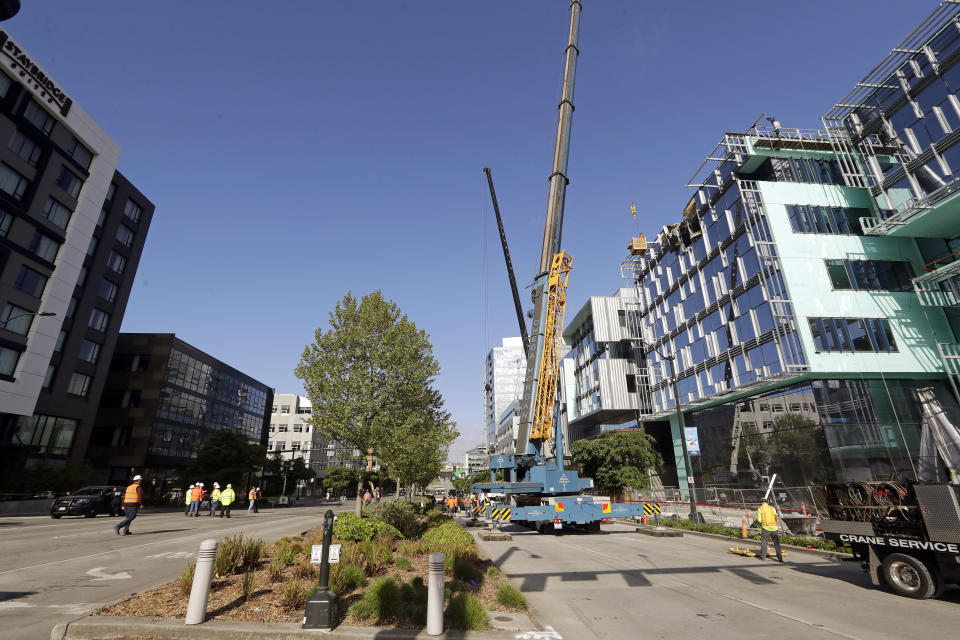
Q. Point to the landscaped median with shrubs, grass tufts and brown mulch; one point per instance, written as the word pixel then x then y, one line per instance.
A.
pixel 380 580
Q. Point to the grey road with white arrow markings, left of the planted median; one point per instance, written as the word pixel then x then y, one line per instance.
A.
pixel 53 571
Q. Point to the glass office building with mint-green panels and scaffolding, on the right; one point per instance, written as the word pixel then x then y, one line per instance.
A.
pixel 808 292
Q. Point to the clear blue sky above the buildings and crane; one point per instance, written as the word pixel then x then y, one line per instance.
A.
pixel 299 150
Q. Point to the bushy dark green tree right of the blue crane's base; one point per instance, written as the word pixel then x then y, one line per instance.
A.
pixel 618 459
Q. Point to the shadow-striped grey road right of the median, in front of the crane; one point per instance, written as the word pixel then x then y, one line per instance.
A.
pixel 620 584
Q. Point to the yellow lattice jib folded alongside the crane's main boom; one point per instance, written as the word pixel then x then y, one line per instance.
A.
pixel 541 423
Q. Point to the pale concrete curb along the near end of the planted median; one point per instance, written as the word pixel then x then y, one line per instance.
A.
pixel 105 627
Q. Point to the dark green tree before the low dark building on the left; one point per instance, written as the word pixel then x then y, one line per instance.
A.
pixel 226 456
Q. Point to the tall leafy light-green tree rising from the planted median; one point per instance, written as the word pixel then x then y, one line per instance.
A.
pixel 370 380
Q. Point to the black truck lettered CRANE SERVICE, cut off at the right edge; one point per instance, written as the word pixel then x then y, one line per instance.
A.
pixel 907 535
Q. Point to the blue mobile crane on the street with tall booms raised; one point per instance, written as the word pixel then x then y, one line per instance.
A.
pixel 540 491
